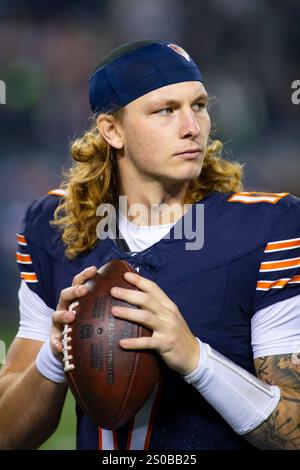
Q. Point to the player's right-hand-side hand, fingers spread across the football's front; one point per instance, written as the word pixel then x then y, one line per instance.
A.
pixel 171 337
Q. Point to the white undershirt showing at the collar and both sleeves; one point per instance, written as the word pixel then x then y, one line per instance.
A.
pixel 274 329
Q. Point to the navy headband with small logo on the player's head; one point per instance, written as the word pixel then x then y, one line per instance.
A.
pixel 137 71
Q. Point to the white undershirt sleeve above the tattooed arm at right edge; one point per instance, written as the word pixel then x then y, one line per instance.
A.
pixel 276 329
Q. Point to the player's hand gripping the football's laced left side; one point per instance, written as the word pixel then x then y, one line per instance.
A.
pixel 64 313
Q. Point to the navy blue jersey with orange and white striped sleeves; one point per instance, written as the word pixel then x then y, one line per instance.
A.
pixel 250 260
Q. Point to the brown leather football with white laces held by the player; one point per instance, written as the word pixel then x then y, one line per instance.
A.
pixel 109 383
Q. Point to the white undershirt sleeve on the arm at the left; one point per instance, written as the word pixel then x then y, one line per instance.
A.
pixel 35 315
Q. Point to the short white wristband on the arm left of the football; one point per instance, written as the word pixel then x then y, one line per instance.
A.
pixel 48 365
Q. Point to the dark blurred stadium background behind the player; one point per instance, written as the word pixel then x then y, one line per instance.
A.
pixel 248 51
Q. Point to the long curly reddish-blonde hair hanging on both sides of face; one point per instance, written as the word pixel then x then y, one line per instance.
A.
pixel 93 180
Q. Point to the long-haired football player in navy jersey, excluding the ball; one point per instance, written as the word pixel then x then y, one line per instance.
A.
pixel 224 312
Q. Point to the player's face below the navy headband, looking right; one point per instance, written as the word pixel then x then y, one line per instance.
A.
pixel 165 133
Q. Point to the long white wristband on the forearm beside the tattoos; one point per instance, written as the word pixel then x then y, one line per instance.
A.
pixel 242 399
